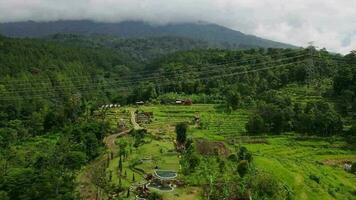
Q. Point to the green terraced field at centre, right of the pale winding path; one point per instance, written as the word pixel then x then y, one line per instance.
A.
pixel 215 122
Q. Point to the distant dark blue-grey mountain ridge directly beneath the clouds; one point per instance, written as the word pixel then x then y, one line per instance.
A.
pixel 208 32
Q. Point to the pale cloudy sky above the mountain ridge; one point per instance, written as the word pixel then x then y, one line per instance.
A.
pixel 330 24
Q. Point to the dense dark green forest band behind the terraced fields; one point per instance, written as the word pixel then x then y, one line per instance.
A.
pixel 33 70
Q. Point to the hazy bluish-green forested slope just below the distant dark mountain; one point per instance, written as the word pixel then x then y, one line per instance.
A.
pixel 142 50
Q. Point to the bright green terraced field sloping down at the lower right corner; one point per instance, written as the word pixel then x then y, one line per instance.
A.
pixel 297 162
